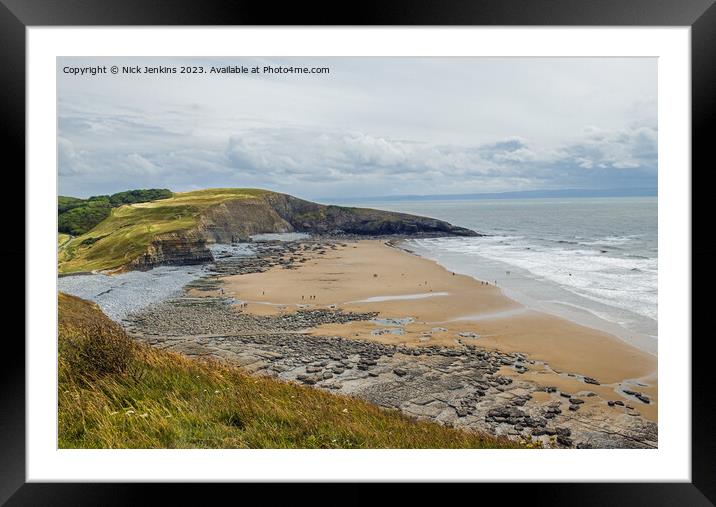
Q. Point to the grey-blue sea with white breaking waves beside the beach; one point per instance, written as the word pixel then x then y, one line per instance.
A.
pixel 590 260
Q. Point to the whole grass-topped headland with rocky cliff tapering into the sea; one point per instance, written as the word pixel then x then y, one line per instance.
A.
pixel 177 230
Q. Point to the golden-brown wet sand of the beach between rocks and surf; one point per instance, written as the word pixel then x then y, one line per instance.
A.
pixel 448 309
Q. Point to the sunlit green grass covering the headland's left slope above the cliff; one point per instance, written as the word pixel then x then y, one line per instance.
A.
pixel 128 231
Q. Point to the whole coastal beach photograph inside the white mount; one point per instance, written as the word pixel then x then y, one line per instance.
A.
pixel 342 252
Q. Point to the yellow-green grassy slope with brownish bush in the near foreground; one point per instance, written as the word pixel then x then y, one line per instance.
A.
pixel 115 393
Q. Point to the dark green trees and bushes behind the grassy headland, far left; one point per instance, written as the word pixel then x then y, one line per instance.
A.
pixel 77 216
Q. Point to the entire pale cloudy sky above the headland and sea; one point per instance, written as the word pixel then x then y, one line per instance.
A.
pixel 369 127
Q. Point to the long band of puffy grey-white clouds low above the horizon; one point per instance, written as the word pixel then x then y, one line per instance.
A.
pixel 303 158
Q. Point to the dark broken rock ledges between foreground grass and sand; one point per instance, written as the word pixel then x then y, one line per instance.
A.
pixel 463 386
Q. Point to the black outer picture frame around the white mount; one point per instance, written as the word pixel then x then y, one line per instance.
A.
pixel 700 15
